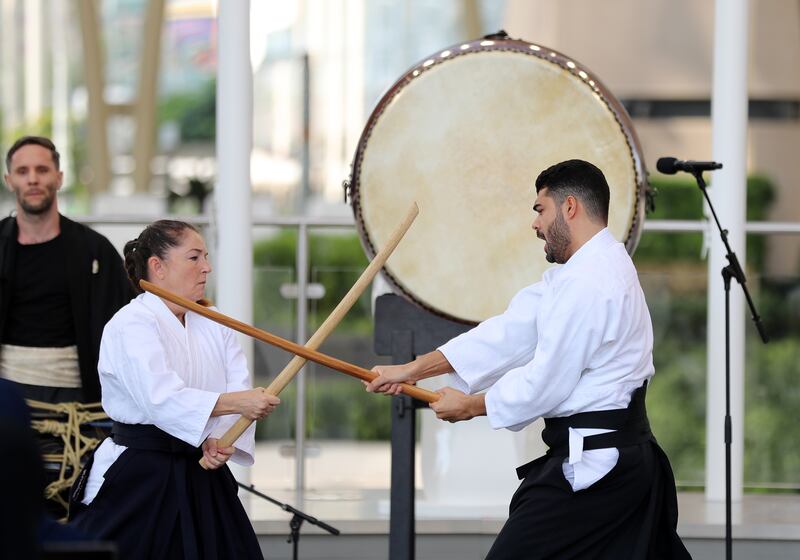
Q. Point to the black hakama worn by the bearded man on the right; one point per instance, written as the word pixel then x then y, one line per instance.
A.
pixel 631 513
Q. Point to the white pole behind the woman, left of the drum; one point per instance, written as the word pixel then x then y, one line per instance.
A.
pixel 232 195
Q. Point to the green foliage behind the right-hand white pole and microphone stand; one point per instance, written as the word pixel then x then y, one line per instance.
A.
pixel 676 400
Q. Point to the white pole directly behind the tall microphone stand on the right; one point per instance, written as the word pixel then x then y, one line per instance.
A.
pixel 729 137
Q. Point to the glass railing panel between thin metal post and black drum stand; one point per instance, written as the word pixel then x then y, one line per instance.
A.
pixel 348 429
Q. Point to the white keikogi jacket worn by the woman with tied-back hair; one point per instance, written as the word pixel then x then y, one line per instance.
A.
pixel 154 370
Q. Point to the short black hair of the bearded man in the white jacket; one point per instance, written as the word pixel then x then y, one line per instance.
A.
pixel 580 179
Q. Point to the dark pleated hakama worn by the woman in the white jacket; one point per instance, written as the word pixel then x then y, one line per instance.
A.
pixel 157 502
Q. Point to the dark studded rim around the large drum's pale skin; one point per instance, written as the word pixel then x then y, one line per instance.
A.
pixel 495 43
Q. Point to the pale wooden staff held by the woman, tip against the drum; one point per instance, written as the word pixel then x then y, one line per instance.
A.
pixel 294 366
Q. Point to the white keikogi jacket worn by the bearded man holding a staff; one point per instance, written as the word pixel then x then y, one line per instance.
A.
pixel 580 340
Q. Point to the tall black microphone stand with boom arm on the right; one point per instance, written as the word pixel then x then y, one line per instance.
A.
pixel 735 271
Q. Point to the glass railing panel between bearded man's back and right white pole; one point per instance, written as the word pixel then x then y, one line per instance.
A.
pixel 674 278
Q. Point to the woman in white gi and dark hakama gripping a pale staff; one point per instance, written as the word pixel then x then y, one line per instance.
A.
pixel 173 382
